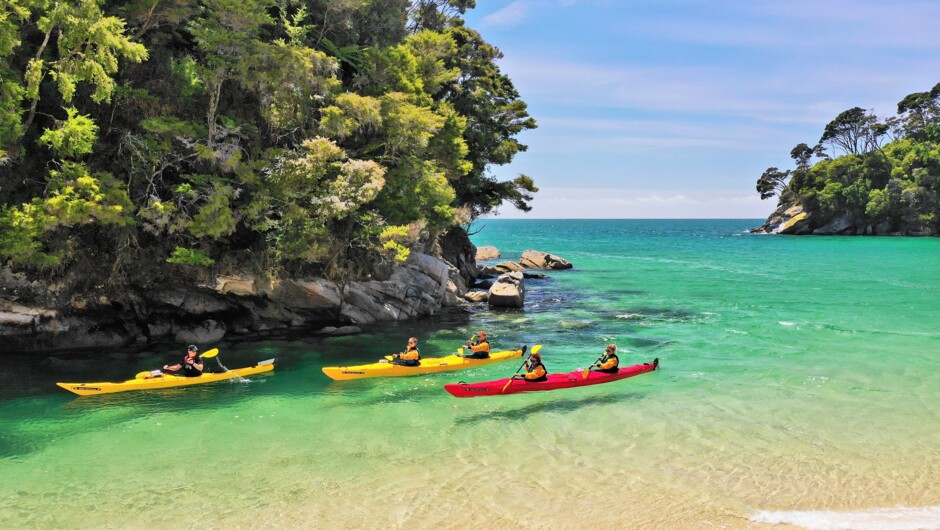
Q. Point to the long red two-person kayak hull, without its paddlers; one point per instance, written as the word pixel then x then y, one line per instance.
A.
pixel 554 382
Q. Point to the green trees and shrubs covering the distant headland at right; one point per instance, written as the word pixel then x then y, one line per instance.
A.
pixel 887 173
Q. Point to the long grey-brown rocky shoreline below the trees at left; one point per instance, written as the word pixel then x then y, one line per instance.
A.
pixel 233 304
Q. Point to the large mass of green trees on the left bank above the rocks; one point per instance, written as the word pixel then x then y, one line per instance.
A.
pixel 294 136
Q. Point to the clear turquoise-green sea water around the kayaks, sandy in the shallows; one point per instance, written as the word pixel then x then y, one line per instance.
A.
pixel 799 383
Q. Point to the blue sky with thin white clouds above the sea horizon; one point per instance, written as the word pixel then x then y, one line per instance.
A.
pixel 673 109
